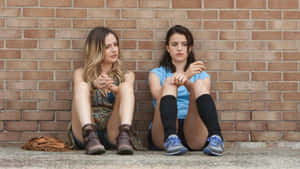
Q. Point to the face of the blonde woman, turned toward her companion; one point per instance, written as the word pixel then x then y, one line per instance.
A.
pixel 111 49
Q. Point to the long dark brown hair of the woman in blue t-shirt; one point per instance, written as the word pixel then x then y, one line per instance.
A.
pixel 166 60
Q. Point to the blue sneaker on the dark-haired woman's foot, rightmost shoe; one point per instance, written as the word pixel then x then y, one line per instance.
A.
pixel 215 146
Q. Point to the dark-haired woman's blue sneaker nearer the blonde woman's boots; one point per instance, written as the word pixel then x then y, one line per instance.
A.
pixel 173 146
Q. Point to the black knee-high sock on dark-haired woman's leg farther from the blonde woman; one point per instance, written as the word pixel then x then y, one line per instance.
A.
pixel 208 113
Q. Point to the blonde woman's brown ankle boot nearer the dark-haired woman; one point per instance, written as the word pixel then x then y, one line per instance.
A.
pixel 123 140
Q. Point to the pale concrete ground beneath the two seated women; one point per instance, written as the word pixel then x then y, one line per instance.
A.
pixel 258 158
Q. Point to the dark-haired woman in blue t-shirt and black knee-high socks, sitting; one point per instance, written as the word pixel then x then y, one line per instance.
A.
pixel 185 114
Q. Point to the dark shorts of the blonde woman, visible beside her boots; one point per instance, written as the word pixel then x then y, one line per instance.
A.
pixel 102 134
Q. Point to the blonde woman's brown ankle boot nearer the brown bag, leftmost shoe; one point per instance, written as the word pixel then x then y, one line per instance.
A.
pixel 91 140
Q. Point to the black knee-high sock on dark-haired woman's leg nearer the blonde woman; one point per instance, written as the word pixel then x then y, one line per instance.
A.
pixel 168 114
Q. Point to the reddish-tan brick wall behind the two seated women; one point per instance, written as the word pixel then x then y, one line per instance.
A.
pixel 251 49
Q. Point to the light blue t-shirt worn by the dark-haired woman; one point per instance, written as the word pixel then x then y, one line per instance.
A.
pixel 182 93
